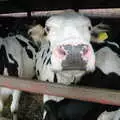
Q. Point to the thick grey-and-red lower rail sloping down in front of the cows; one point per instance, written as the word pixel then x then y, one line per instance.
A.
pixel 104 96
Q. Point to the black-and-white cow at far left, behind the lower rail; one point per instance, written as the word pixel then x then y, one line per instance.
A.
pixel 17 58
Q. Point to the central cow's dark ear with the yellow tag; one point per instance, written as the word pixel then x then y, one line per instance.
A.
pixel 99 33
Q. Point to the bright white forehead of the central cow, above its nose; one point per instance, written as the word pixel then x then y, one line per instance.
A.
pixel 68 28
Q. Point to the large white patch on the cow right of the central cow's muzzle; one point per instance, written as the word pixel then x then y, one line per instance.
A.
pixel 108 61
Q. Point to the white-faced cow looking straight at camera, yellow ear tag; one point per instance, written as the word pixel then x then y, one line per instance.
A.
pixel 65 52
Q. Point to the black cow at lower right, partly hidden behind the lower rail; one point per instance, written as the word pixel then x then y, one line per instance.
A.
pixel 70 109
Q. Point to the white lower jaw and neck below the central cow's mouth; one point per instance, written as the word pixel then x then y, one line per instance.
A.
pixel 64 77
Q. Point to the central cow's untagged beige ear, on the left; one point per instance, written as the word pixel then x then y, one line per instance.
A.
pixel 36 33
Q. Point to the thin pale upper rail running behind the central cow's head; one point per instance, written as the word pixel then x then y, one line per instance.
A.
pixel 106 13
